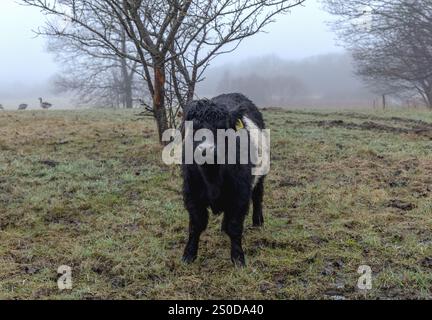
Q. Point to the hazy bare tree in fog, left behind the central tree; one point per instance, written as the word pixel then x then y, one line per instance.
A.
pixel 94 76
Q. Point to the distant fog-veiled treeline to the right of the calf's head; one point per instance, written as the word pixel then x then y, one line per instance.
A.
pixel 321 81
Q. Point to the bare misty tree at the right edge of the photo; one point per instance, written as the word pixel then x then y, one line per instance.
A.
pixel 391 42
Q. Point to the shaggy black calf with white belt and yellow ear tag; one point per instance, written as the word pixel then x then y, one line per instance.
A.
pixel 224 187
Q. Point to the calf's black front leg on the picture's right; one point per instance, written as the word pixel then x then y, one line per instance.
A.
pixel 233 226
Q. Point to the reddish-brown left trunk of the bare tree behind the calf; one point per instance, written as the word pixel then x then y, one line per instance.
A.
pixel 159 99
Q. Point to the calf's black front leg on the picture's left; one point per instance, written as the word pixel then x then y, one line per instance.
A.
pixel 198 220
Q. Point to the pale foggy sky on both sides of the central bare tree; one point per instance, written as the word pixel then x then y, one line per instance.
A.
pixel 26 68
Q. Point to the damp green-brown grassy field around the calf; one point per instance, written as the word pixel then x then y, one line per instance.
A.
pixel 87 189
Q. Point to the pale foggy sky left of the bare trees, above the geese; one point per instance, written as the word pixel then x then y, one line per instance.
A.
pixel 26 69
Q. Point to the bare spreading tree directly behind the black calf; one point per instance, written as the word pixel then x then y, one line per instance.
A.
pixel 174 40
